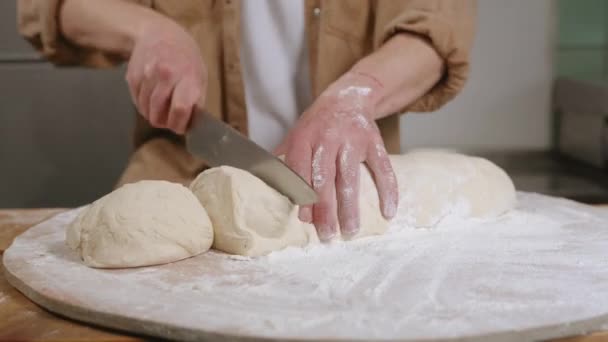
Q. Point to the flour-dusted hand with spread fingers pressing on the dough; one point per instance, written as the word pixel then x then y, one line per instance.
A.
pixel 327 145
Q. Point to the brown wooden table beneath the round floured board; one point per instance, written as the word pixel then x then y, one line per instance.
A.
pixel 21 319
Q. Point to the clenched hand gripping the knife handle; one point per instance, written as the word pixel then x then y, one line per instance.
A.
pixel 166 76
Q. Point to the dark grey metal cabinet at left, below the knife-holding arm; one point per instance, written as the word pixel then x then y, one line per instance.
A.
pixel 64 132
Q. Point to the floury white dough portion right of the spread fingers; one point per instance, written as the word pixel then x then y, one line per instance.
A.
pixel 435 184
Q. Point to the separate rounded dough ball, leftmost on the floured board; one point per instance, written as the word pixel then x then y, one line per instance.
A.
pixel 141 224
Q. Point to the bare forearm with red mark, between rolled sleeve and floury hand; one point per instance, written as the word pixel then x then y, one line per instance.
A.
pixel 405 68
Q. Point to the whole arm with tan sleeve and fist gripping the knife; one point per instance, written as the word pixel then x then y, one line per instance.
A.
pixel 166 74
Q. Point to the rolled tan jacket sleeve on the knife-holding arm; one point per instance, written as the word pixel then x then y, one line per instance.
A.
pixel 38 21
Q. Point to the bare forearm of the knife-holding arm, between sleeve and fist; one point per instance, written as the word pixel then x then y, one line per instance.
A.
pixel 110 25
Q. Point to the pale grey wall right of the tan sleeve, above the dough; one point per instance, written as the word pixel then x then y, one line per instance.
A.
pixel 506 103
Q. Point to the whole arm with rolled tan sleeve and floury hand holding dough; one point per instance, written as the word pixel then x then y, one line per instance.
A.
pixel 420 62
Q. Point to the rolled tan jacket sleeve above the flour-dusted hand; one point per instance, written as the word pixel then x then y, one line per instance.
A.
pixel 448 25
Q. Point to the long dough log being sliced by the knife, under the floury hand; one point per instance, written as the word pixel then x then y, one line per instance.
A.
pixel 250 218
